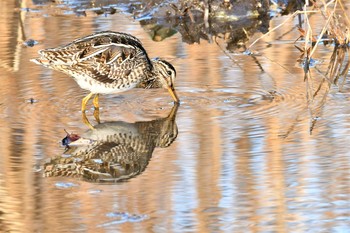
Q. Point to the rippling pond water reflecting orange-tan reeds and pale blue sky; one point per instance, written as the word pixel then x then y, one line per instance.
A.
pixel 236 156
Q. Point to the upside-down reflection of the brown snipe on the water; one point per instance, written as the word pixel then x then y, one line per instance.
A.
pixel 114 151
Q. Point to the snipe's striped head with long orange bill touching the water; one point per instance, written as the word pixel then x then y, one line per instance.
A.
pixel 166 74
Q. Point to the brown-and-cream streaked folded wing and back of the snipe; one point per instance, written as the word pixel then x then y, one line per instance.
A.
pixel 106 56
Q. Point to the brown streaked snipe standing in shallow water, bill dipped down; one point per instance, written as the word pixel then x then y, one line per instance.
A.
pixel 109 62
